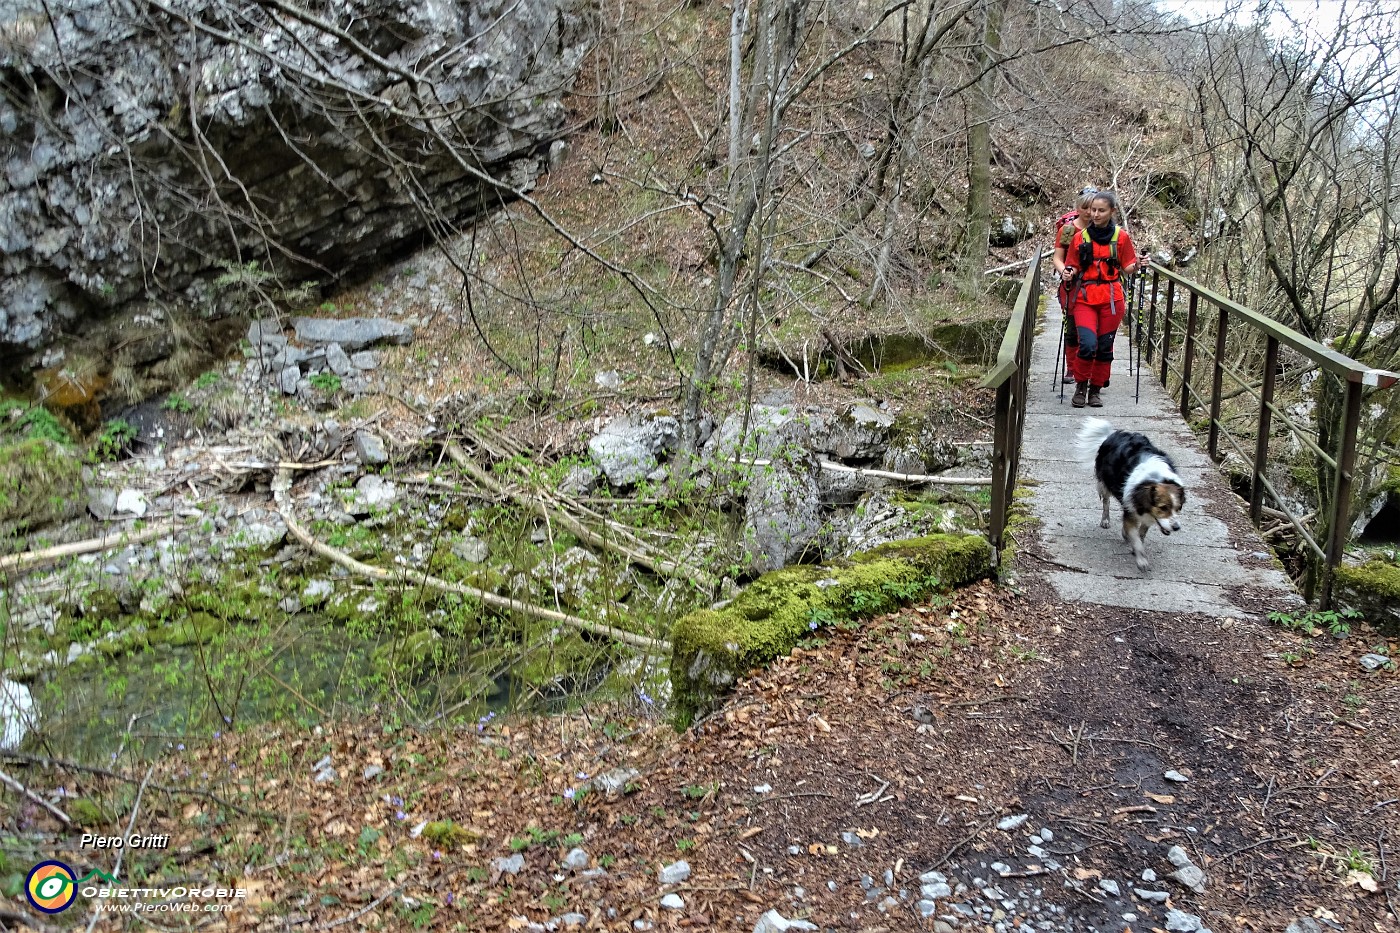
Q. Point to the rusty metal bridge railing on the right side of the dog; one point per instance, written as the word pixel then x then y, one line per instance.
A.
pixel 1160 348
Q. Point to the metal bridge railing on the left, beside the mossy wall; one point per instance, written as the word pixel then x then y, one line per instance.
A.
pixel 1011 379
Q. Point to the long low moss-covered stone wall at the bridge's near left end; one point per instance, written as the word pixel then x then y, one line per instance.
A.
pixel 715 648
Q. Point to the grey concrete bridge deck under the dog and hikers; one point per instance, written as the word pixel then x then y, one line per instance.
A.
pixel 1217 565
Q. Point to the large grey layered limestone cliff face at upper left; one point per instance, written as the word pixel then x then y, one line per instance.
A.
pixel 146 146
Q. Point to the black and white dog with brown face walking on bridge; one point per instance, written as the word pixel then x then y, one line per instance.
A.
pixel 1130 469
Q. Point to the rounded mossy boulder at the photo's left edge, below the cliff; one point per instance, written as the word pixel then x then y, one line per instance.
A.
pixel 41 483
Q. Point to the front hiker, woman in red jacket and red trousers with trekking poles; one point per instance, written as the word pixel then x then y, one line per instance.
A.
pixel 1097 260
